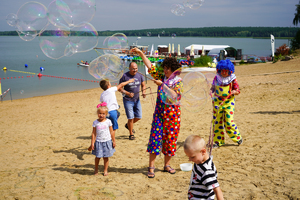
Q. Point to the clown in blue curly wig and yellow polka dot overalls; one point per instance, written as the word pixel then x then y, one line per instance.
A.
pixel 225 87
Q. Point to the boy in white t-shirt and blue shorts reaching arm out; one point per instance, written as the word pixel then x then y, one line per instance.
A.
pixel 109 96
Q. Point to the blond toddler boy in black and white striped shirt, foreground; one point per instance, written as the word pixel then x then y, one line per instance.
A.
pixel 204 183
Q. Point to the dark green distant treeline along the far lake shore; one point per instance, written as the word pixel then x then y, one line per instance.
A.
pixel 253 32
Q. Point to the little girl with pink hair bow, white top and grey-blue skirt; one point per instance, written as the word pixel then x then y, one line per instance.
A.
pixel 103 138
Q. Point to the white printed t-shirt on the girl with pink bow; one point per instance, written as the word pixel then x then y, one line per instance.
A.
pixel 102 130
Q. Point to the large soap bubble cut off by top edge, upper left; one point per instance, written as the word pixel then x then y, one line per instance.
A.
pixel 75 12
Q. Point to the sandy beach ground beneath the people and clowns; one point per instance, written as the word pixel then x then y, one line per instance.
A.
pixel 44 141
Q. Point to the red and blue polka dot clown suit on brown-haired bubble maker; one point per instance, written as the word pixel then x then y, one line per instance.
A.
pixel 166 120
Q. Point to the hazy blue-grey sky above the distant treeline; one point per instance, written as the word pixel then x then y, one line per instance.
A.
pixel 141 14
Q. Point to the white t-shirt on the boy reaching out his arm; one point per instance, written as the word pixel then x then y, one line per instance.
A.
pixel 109 96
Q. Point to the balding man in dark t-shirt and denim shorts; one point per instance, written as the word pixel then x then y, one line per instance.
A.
pixel 131 97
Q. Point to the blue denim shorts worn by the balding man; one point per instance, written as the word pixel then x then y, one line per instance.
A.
pixel 133 109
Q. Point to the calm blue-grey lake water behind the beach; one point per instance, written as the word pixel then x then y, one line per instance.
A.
pixel 15 53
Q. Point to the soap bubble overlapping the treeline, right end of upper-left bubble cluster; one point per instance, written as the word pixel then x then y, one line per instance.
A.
pixel 83 38
